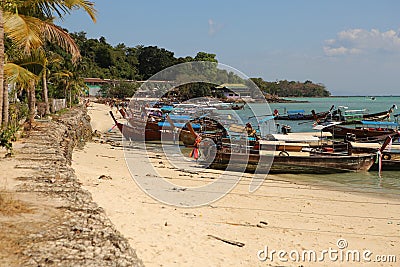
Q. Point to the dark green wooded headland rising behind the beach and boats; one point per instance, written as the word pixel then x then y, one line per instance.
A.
pixel 120 62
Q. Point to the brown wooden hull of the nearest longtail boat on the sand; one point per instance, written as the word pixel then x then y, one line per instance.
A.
pixel 294 164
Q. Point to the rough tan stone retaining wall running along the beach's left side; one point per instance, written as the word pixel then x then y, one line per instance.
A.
pixel 76 231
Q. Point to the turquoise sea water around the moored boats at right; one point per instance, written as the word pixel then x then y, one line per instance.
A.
pixel 368 183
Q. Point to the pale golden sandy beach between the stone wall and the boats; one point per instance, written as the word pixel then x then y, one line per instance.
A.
pixel 294 218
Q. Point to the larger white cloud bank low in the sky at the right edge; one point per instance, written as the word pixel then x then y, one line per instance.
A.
pixel 360 41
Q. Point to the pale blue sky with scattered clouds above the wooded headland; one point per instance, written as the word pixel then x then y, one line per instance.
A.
pixel 350 46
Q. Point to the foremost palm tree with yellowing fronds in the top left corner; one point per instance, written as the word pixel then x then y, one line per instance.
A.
pixel 29 24
